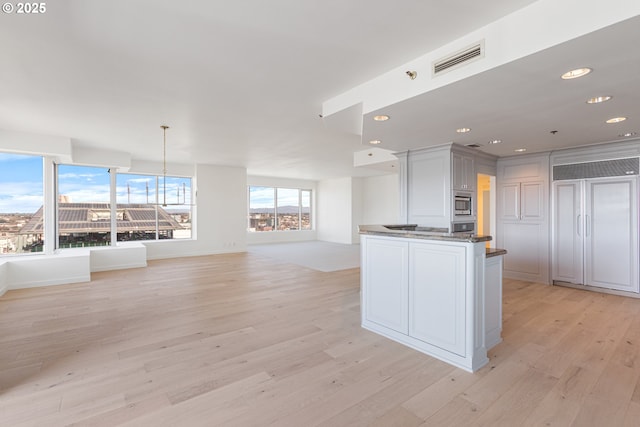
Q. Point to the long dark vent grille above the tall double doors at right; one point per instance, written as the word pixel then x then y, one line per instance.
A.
pixel 619 167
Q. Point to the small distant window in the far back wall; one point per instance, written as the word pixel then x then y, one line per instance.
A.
pixel 279 209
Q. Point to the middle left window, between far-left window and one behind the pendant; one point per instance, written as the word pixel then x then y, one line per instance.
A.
pixel 84 209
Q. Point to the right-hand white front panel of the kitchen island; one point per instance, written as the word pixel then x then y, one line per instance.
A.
pixel 437 295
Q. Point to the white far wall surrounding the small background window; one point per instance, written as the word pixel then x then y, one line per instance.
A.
pixel 283 236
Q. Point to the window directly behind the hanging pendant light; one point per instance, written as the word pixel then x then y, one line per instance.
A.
pixel 149 209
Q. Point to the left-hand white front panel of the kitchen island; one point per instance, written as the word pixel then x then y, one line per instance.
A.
pixel 385 291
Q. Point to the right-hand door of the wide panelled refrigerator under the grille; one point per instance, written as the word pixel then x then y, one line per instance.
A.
pixel 611 234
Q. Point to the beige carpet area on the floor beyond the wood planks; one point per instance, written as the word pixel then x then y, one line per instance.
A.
pixel 317 255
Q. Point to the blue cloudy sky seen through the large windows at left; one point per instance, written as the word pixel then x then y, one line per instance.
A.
pixel 21 188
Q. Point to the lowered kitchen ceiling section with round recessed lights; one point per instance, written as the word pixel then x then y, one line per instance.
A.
pixel 522 102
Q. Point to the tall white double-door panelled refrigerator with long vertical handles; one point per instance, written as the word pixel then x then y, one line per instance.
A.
pixel 595 232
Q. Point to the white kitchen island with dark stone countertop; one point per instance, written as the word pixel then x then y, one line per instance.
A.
pixel 428 290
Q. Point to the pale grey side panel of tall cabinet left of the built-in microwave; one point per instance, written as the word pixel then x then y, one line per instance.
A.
pixel 381 199
